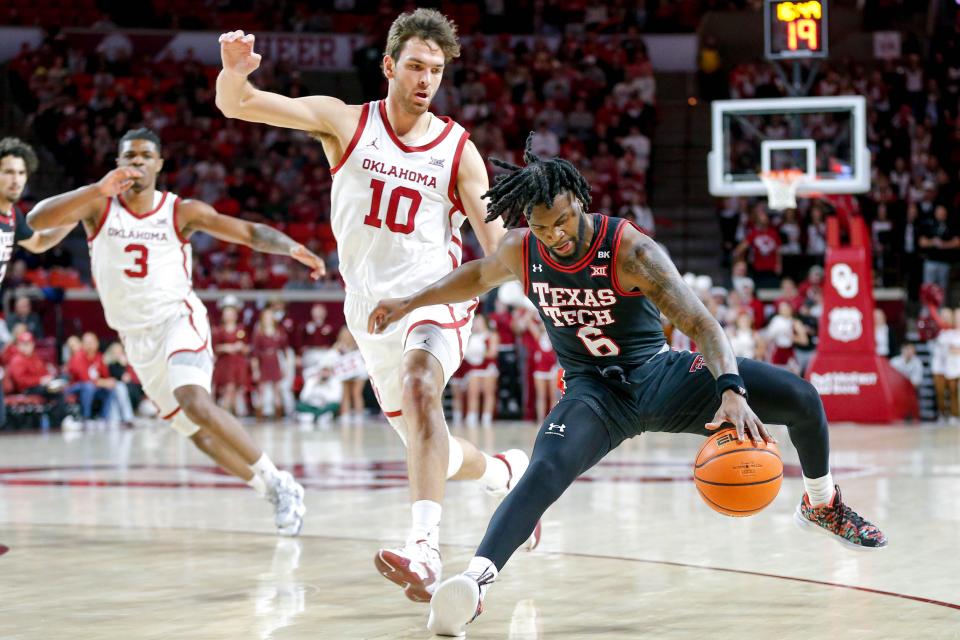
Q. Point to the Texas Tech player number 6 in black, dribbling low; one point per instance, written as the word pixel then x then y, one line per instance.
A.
pixel 600 286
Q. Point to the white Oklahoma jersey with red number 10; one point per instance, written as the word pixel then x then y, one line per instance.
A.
pixel 395 212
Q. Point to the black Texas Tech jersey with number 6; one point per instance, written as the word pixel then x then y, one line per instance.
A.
pixel 591 321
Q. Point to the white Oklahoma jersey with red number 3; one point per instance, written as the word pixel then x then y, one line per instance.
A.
pixel 141 267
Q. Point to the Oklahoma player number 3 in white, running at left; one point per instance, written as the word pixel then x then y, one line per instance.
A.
pixel 141 262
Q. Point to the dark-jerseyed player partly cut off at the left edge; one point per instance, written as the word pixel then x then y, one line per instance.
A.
pixel 17 161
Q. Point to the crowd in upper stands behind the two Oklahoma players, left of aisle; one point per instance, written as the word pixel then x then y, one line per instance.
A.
pixel 591 100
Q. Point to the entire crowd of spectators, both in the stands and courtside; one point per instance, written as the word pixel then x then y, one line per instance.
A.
pixel 590 99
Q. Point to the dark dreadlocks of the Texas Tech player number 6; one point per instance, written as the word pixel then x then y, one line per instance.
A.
pixel 538 182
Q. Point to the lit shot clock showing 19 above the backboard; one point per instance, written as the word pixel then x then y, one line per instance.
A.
pixel 795 29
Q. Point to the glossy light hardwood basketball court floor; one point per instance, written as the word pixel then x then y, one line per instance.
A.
pixel 134 535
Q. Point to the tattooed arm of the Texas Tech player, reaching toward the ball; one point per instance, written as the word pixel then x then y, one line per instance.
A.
pixel 661 282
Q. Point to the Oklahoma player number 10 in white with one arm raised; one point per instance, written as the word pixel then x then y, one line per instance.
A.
pixel 404 182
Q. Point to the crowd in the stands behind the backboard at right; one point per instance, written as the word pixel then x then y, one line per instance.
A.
pixel 913 208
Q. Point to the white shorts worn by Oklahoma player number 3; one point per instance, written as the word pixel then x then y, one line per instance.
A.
pixel 173 354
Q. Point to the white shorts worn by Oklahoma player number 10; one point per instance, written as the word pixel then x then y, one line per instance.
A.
pixel 441 330
